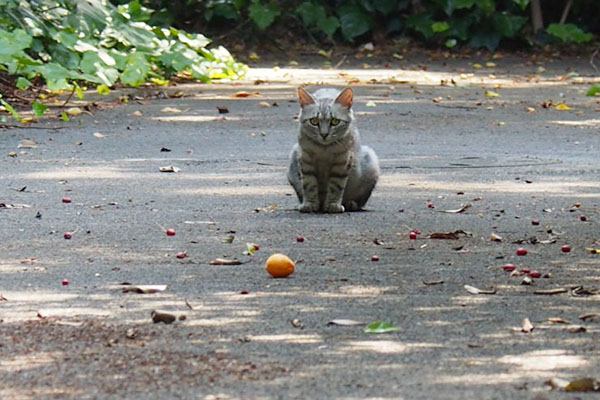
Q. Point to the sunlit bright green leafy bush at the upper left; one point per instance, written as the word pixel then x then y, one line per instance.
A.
pixel 66 41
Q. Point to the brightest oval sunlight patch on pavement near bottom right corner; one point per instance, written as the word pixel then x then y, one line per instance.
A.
pixel 545 360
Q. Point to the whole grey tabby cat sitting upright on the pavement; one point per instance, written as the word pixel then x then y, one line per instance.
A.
pixel 329 169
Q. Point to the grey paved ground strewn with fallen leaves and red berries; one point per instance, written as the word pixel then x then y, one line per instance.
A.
pixel 513 158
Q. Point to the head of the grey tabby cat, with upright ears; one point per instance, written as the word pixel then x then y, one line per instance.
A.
pixel 326 114
